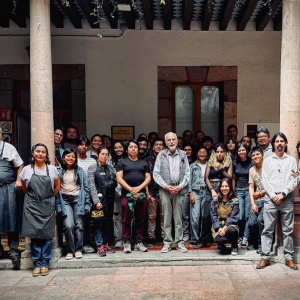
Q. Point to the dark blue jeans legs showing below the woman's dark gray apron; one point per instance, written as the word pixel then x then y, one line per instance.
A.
pixel 40 252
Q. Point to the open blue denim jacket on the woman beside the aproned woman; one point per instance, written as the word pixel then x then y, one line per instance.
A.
pixel 84 201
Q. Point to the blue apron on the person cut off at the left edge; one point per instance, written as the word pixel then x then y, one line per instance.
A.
pixel 9 208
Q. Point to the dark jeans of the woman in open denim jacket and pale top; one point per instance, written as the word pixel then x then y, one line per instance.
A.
pixel 73 225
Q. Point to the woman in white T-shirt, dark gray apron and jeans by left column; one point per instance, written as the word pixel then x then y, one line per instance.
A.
pixel 40 183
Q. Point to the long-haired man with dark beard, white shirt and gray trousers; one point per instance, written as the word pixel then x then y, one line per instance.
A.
pixel 279 182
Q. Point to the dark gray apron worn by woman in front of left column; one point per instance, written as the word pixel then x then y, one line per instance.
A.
pixel 39 208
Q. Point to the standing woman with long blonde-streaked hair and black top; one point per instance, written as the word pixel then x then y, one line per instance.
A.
pixel 219 166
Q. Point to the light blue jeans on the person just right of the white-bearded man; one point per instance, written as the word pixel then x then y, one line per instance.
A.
pixel 197 214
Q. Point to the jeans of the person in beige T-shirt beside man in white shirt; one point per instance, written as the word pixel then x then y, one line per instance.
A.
pixel 256 224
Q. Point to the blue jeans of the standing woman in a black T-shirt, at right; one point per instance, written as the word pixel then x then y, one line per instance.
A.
pixel 244 207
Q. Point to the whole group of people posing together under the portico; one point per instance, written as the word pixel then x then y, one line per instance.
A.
pixel 224 193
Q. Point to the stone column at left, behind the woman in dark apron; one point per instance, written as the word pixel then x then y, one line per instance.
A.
pixel 41 97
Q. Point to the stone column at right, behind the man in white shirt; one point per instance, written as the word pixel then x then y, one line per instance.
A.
pixel 290 97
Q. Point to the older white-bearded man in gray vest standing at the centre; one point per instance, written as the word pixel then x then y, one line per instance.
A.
pixel 172 174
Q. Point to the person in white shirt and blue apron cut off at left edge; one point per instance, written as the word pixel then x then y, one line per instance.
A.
pixel 10 220
